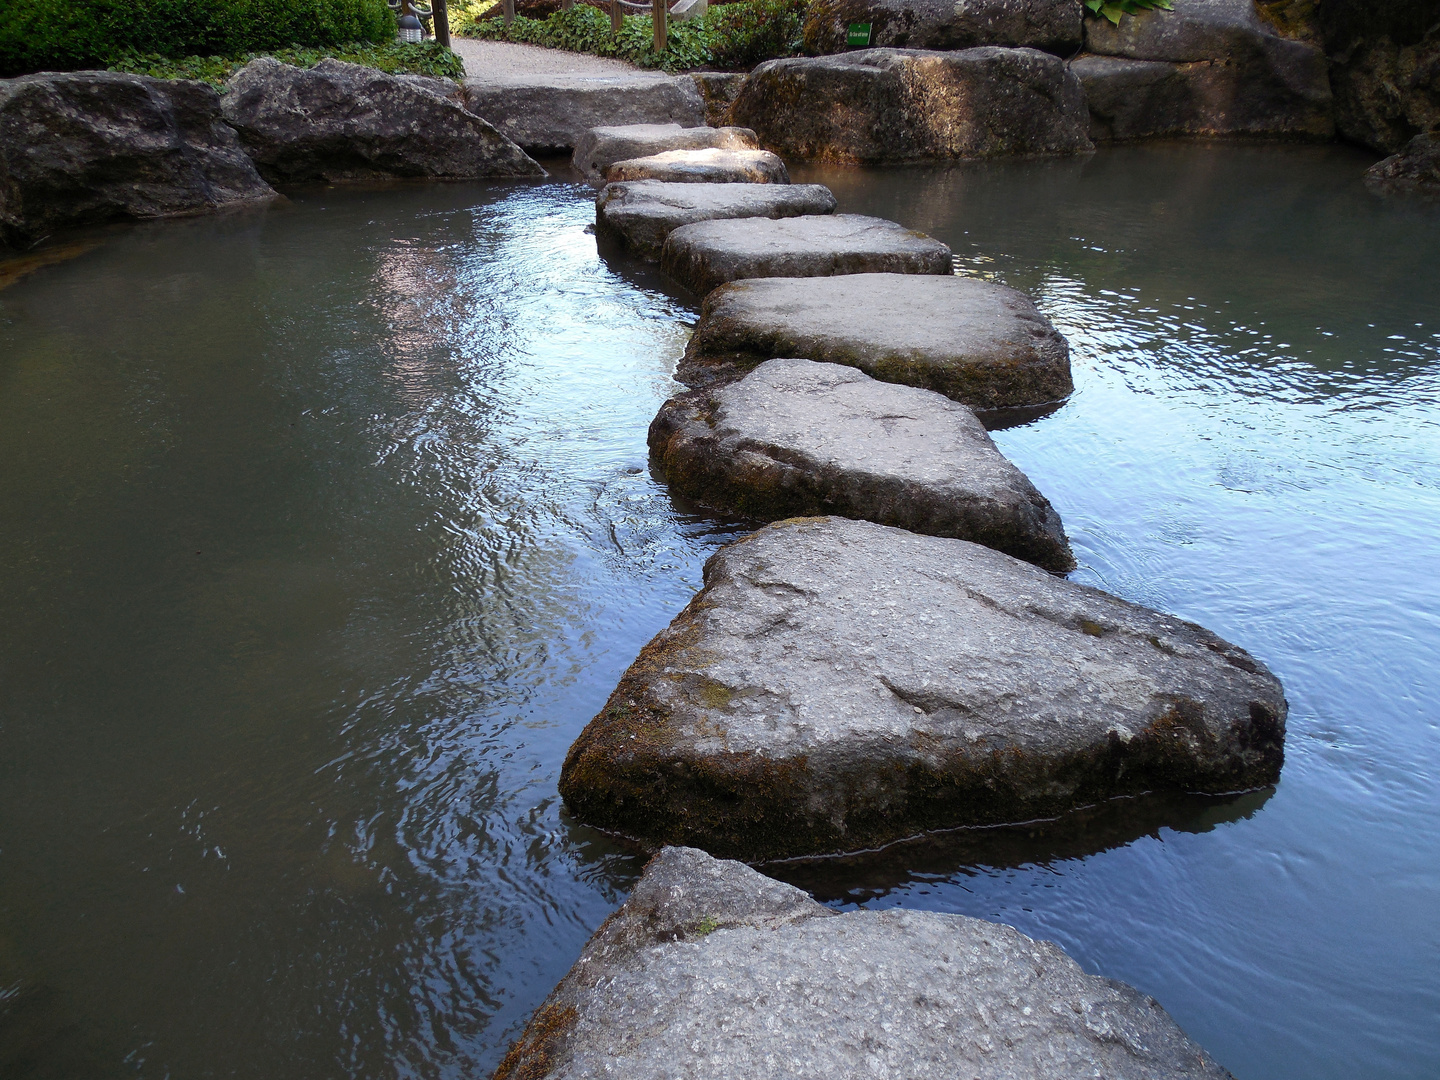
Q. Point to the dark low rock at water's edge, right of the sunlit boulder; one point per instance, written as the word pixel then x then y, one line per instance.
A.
pixel 1212 99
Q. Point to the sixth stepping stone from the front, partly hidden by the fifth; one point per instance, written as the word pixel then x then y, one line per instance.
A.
pixel 643 214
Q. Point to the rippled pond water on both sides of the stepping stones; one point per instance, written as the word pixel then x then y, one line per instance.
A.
pixel 326 529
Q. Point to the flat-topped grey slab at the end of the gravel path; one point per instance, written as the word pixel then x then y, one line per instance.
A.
pixel 549 114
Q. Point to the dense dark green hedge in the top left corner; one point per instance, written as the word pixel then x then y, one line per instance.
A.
pixel 67 35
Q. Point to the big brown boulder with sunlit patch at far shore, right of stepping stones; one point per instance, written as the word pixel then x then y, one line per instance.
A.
pixel 909 106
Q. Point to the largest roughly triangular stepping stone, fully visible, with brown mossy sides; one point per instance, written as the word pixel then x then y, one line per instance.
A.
pixel 840 685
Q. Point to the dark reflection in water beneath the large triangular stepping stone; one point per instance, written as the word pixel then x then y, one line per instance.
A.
pixel 1081 834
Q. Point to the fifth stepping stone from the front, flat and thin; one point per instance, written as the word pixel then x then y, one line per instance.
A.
pixel 708 254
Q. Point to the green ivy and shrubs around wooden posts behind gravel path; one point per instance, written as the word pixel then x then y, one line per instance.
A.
pixel 734 37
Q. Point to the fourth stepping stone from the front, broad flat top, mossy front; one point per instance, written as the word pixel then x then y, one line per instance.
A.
pixel 973 341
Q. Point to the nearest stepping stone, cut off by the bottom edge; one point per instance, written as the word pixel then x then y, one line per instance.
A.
pixel 712 971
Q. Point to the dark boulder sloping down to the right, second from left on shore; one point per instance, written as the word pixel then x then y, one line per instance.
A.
pixel 343 122
